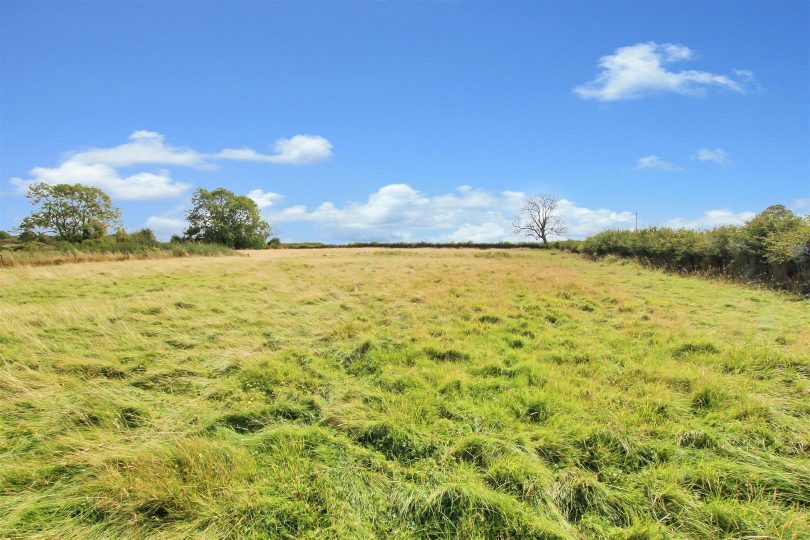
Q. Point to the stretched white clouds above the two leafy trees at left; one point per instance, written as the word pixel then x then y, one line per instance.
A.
pixel 99 167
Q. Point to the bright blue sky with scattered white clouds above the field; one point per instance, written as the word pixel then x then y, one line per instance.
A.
pixel 395 121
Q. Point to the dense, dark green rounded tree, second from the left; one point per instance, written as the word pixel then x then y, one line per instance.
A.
pixel 222 217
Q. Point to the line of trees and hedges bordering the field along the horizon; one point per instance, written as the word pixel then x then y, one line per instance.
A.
pixel 773 247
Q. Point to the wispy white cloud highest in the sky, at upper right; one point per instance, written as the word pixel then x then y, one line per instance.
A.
pixel 639 70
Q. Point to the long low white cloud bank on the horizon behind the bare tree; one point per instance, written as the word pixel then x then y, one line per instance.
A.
pixel 398 212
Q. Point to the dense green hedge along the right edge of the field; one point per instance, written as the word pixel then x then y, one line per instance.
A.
pixel 772 248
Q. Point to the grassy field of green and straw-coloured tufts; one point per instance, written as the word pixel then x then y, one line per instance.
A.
pixel 399 394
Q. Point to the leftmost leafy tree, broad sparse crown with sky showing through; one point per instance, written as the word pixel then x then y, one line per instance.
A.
pixel 72 212
